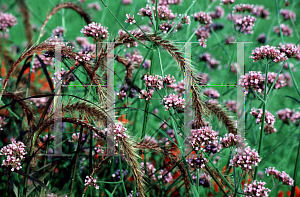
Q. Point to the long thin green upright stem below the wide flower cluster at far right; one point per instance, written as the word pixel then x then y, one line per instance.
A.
pixel 263 118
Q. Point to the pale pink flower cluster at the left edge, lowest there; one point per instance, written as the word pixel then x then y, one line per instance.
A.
pixel 14 153
